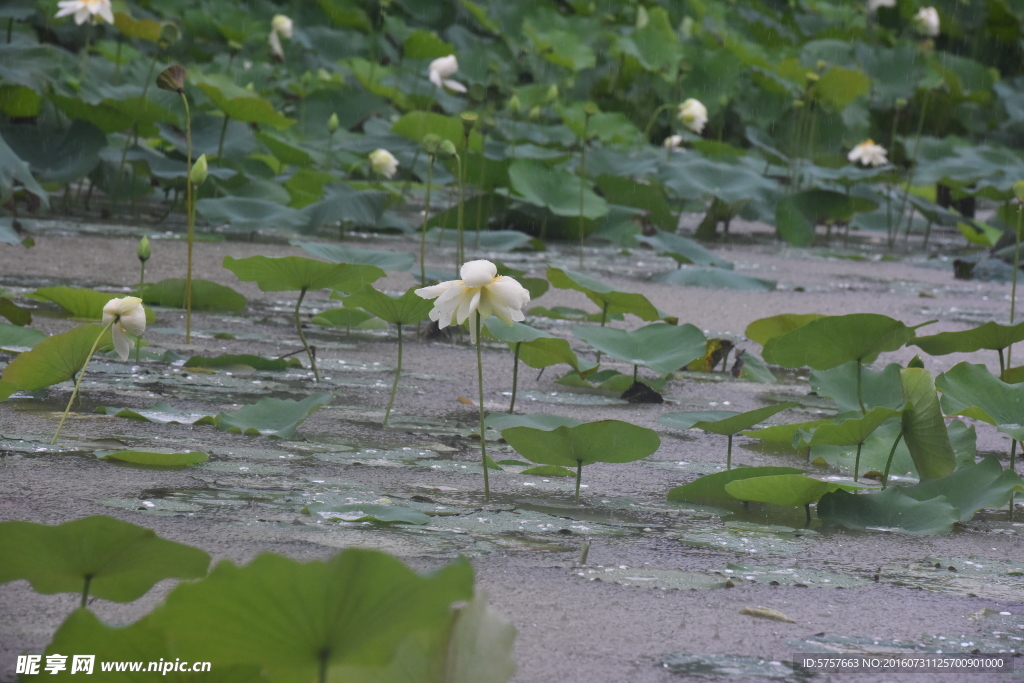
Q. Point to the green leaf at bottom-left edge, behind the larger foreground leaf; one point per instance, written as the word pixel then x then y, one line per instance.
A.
pixel 120 562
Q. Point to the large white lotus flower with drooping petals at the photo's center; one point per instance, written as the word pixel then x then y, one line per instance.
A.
pixel 481 292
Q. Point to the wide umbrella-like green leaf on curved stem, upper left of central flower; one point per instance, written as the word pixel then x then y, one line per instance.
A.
pixel 291 274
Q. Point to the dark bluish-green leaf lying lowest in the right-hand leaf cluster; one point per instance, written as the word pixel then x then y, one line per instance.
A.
pixel 890 509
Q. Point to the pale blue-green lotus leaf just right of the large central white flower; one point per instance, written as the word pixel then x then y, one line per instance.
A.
pixel 662 348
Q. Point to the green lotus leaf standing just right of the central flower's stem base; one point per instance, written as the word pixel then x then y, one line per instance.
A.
pixel 603 442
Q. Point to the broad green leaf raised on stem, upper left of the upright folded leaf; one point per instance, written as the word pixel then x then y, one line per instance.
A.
pixel 834 340
